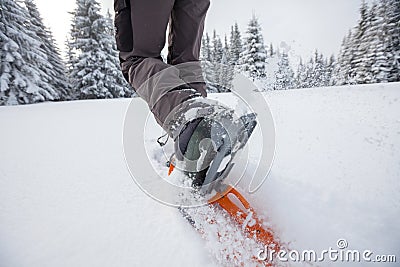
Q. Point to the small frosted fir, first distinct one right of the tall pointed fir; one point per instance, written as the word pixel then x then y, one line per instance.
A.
pixel 284 75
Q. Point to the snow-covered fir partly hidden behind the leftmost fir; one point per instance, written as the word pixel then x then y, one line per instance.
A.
pixel 57 72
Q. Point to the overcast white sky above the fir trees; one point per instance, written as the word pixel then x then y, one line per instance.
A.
pixel 303 25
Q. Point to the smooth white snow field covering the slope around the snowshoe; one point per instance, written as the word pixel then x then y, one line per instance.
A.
pixel 67 199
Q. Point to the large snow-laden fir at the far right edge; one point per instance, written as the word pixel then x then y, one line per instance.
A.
pixel 371 52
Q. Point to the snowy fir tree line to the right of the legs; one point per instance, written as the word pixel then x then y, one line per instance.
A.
pixel 369 54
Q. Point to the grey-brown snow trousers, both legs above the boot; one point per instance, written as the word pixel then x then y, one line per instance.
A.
pixel 140 34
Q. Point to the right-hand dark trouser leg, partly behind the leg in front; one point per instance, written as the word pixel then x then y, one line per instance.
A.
pixel 186 31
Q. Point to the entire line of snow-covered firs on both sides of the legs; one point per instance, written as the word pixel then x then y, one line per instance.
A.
pixel 32 69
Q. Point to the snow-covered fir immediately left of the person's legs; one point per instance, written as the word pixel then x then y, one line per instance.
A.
pixel 95 71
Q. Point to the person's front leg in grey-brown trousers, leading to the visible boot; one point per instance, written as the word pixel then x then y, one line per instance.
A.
pixel 153 80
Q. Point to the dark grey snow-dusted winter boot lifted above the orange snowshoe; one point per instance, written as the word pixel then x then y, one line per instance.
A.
pixel 206 146
